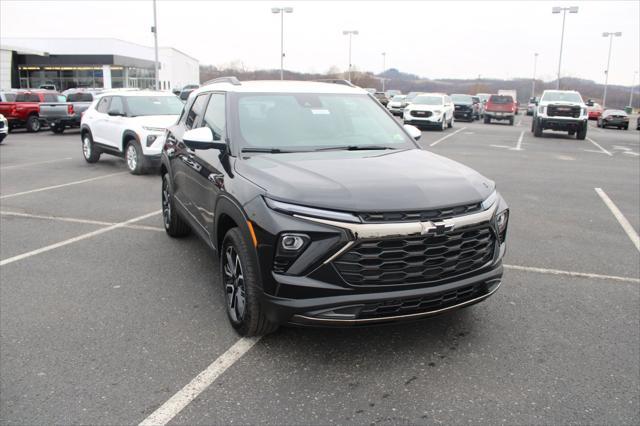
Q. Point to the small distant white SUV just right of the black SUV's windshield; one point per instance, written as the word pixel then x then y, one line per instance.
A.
pixel 430 110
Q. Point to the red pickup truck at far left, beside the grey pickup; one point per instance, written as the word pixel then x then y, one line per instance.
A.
pixel 25 110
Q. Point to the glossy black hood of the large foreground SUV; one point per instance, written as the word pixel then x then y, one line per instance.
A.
pixel 366 181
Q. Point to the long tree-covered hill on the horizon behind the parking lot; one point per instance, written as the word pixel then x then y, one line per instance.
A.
pixel 617 96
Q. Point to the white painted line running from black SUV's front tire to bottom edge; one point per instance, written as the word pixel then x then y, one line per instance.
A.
pixel 202 381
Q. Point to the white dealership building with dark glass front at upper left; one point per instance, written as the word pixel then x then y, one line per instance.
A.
pixel 91 62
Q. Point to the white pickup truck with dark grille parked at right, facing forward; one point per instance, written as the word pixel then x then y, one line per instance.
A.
pixel 562 110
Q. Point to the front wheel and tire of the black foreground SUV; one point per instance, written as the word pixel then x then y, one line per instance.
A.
pixel 242 301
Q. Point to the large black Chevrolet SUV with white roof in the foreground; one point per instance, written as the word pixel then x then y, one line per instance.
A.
pixel 323 209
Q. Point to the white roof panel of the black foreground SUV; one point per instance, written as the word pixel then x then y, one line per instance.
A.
pixel 281 86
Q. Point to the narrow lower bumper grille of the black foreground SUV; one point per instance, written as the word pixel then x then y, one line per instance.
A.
pixel 422 304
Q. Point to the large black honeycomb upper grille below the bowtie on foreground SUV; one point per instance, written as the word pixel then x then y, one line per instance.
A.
pixel 417 260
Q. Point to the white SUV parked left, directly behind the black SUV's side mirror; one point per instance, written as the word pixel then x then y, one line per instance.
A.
pixel 130 125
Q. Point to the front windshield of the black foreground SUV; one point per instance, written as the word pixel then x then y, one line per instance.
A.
pixel 309 121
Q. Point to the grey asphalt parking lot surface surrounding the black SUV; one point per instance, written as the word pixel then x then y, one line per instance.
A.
pixel 103 318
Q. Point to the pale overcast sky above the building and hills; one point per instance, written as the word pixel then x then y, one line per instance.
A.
pixel 434 39
